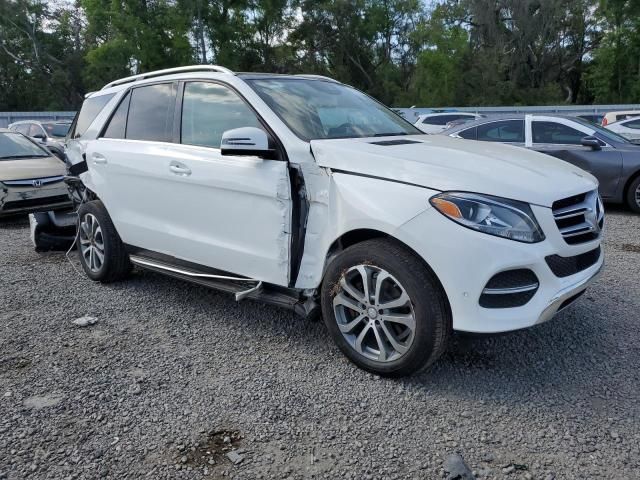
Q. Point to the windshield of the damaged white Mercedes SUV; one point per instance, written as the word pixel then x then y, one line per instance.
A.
pixel 318 109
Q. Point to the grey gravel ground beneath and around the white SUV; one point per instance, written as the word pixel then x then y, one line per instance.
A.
pixel 173 376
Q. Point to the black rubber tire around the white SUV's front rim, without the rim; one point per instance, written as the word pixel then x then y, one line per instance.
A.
pixel 427 299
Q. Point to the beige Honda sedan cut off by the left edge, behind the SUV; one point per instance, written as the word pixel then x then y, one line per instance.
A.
pixel 31 179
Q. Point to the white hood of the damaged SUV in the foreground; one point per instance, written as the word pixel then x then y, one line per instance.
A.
pixel 444 163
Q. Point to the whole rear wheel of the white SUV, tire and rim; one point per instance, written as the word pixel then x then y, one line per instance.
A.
pixel 101 251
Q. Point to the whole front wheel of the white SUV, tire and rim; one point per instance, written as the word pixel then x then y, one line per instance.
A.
pixel 385 309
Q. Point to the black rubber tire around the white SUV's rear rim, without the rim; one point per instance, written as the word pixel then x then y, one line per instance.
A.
pixel 116 265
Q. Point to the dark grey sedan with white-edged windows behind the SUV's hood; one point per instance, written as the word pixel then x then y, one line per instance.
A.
pixel 612 159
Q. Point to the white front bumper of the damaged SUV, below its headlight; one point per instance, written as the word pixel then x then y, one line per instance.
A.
pixel 465 260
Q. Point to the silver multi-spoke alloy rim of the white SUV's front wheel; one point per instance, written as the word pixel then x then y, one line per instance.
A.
pixel 374 313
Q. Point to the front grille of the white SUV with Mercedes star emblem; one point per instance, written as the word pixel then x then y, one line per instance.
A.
pixel 579 218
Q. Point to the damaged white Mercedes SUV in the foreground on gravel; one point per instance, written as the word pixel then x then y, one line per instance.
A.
pixel 306 193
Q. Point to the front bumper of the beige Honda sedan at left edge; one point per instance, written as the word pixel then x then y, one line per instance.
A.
pixel 28 199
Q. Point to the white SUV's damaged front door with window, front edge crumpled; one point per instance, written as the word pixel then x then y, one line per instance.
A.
pixel 232 213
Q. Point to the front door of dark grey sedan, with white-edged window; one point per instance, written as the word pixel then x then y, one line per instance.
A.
pixel 562 139
